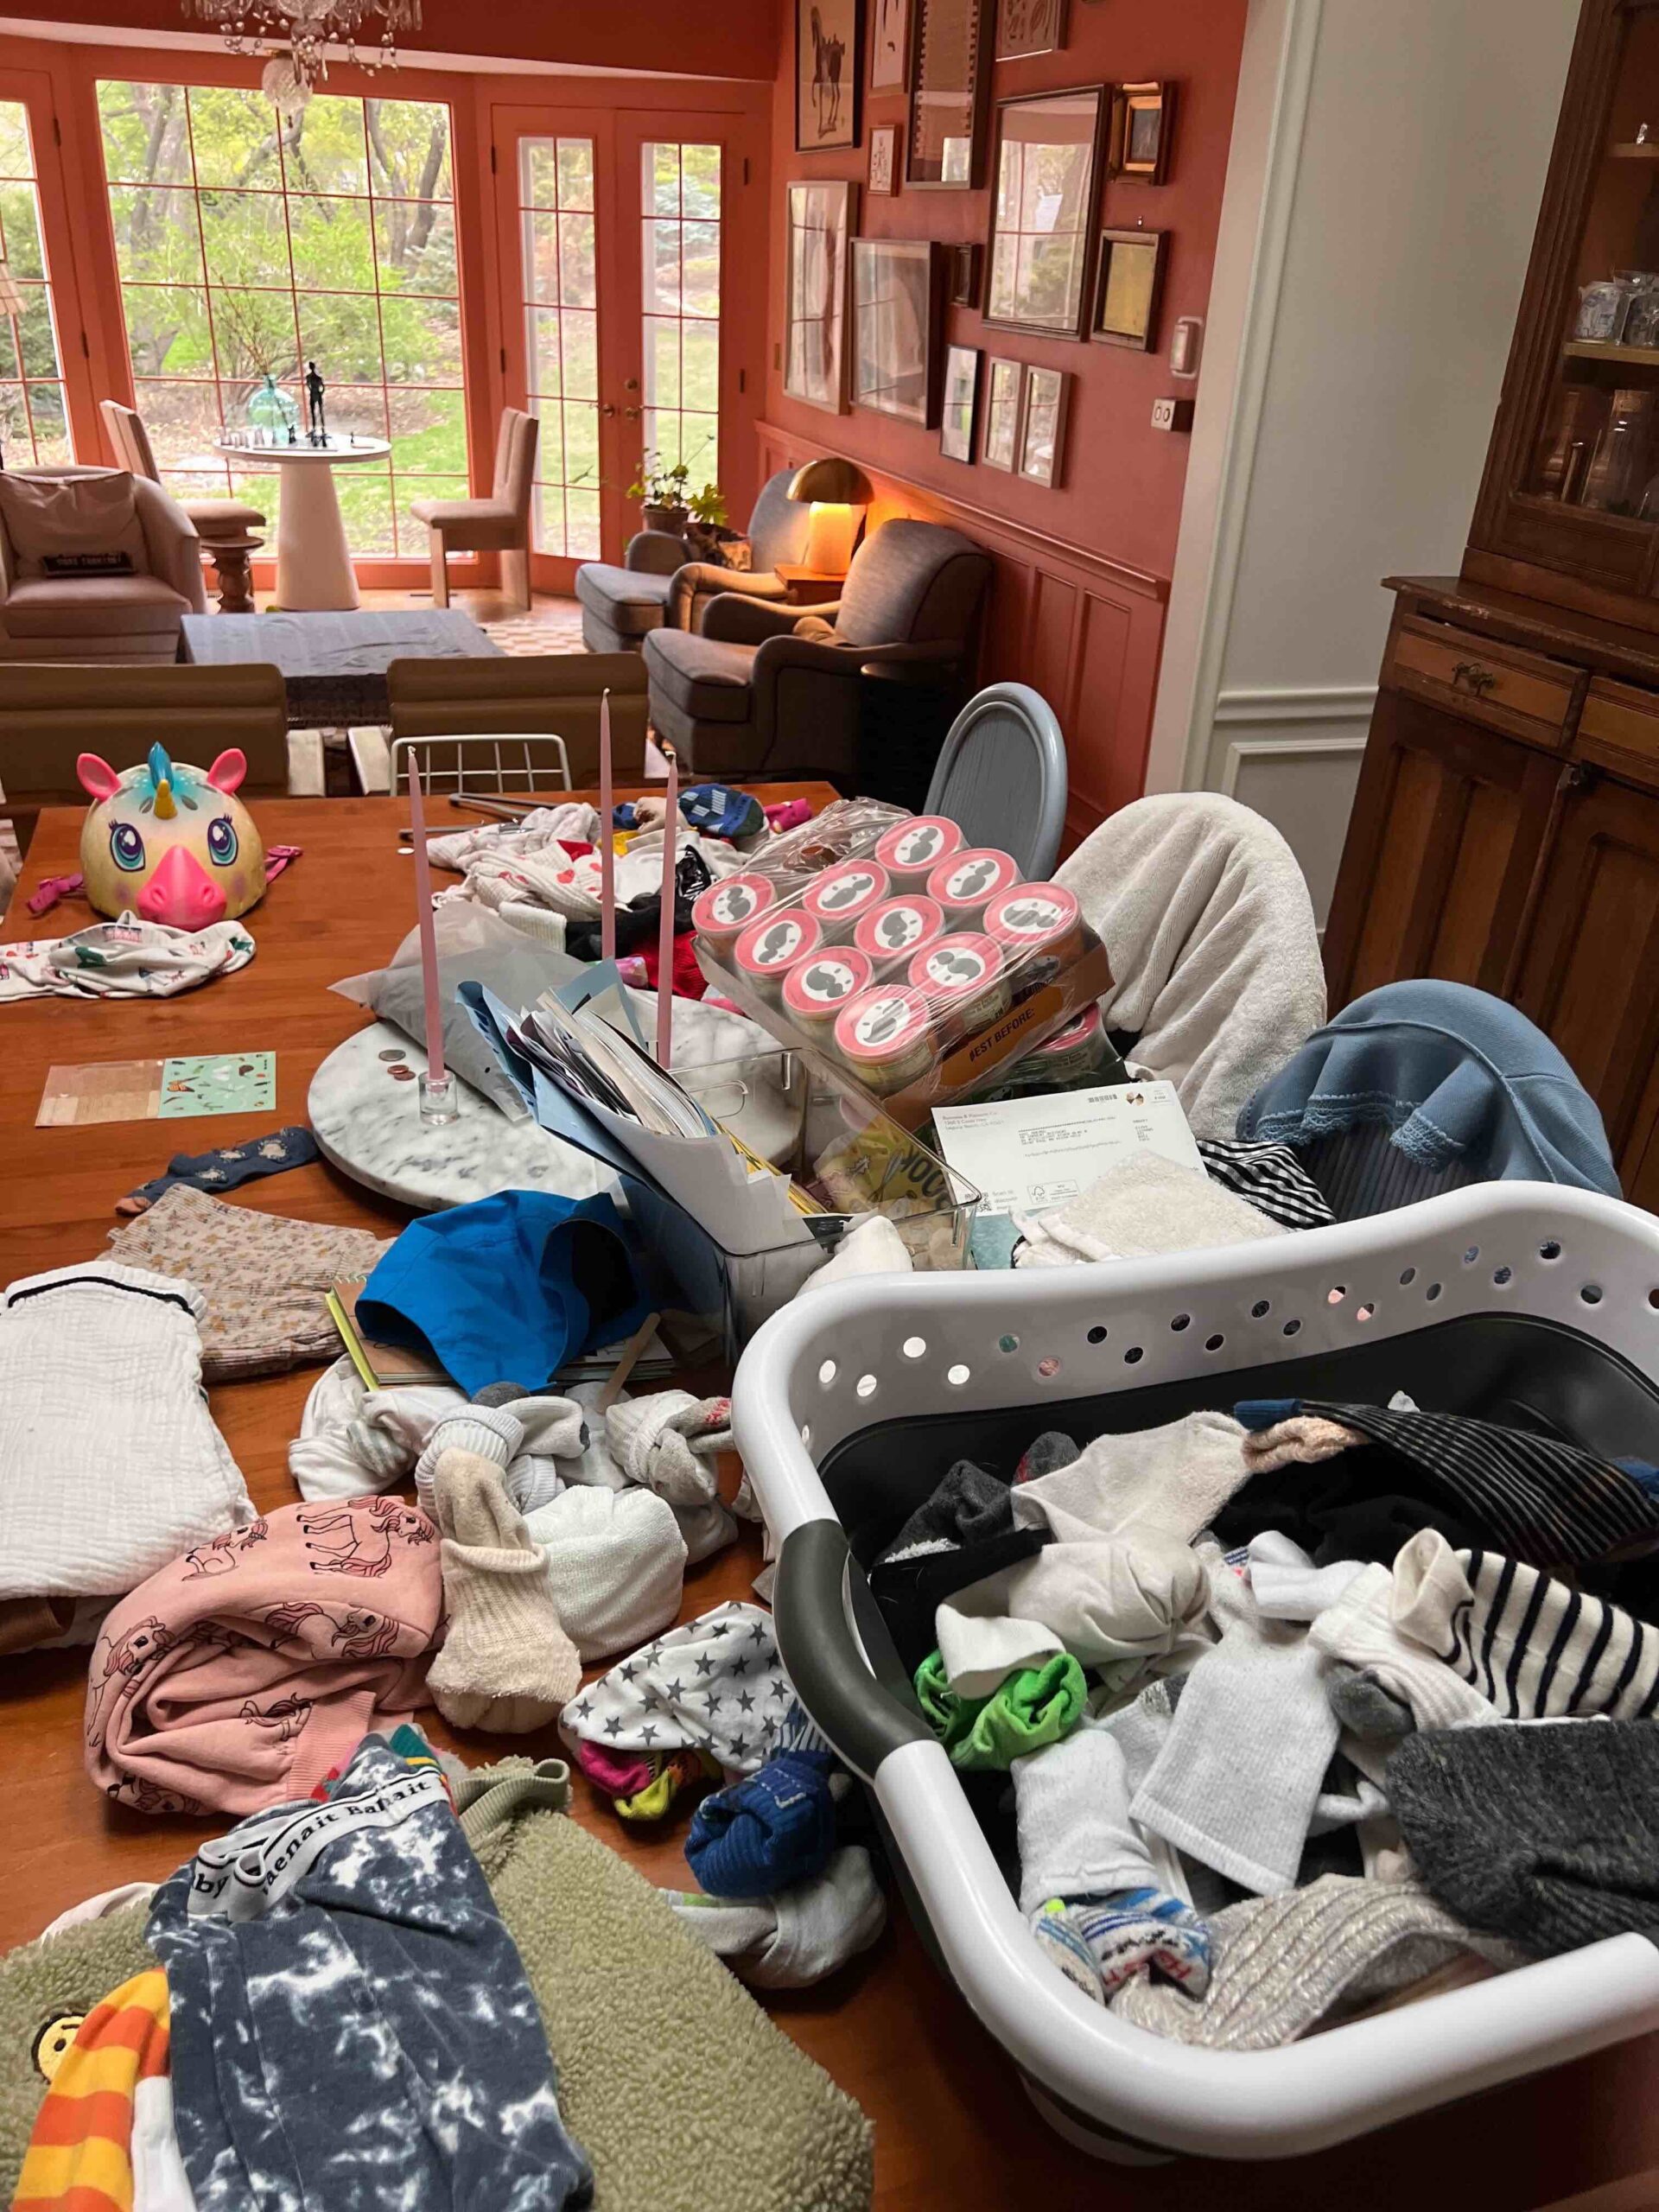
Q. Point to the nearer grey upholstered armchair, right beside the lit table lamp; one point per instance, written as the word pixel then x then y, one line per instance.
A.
pixel 755 696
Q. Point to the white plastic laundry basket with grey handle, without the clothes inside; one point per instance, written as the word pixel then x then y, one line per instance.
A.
pixel 1503 1293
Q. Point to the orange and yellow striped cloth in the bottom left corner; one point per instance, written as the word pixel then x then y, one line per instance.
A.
pixel 81 2153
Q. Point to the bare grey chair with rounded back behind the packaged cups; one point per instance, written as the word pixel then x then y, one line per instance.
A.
pixel 1001 775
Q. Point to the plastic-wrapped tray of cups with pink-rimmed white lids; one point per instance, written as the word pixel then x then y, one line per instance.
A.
pixel 921 1010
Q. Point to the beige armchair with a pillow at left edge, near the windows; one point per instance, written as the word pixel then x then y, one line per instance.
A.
pixel 94 618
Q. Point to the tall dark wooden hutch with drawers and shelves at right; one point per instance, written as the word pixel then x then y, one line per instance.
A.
pixel 1507 817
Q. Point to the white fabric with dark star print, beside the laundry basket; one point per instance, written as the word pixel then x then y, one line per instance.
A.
pixel 713 1684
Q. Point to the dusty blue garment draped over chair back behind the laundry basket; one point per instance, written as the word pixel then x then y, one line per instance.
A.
pixel 1459 1076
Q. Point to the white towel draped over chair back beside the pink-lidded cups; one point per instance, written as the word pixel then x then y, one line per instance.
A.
pixel 1215 952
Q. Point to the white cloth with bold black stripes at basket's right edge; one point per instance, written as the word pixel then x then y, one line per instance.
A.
pixel 1538 1649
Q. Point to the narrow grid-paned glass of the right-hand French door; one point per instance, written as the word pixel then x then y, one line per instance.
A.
pixel 682 289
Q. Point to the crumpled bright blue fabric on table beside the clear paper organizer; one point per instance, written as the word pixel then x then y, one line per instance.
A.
pixel 508 1288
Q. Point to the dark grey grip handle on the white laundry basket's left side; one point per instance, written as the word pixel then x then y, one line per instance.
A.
pixel 822 1653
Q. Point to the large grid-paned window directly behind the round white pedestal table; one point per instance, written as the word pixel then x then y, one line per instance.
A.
pixel 251 244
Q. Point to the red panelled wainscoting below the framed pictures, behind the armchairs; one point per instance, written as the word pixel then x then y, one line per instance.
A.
pixel 1078 627
